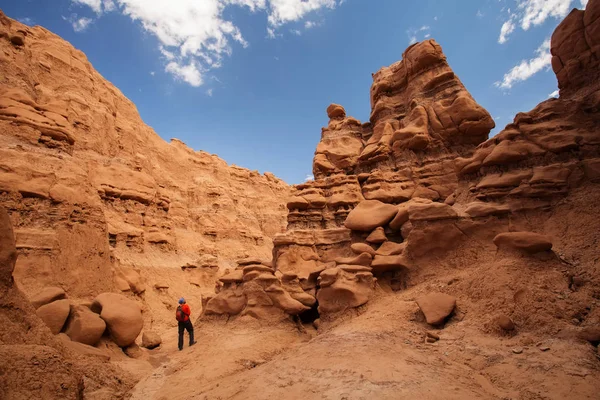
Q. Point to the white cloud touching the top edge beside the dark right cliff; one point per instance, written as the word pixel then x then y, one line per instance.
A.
pixel 535 12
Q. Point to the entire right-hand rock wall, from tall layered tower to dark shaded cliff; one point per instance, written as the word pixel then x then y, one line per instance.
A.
pixel 418 187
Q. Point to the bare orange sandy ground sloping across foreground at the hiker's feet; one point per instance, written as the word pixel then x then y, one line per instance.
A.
pixel 380 353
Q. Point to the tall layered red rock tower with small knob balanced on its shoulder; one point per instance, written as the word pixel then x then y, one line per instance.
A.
pixel 422 119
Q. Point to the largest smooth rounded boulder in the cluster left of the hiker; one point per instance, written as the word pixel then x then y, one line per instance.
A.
pixel 123 317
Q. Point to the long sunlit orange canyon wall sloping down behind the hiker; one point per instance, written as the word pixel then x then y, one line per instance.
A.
pixel 93 192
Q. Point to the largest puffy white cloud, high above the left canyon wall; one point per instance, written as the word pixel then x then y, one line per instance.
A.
pixel 195 35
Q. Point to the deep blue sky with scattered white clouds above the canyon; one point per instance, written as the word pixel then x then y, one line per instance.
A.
pixel 249 80
